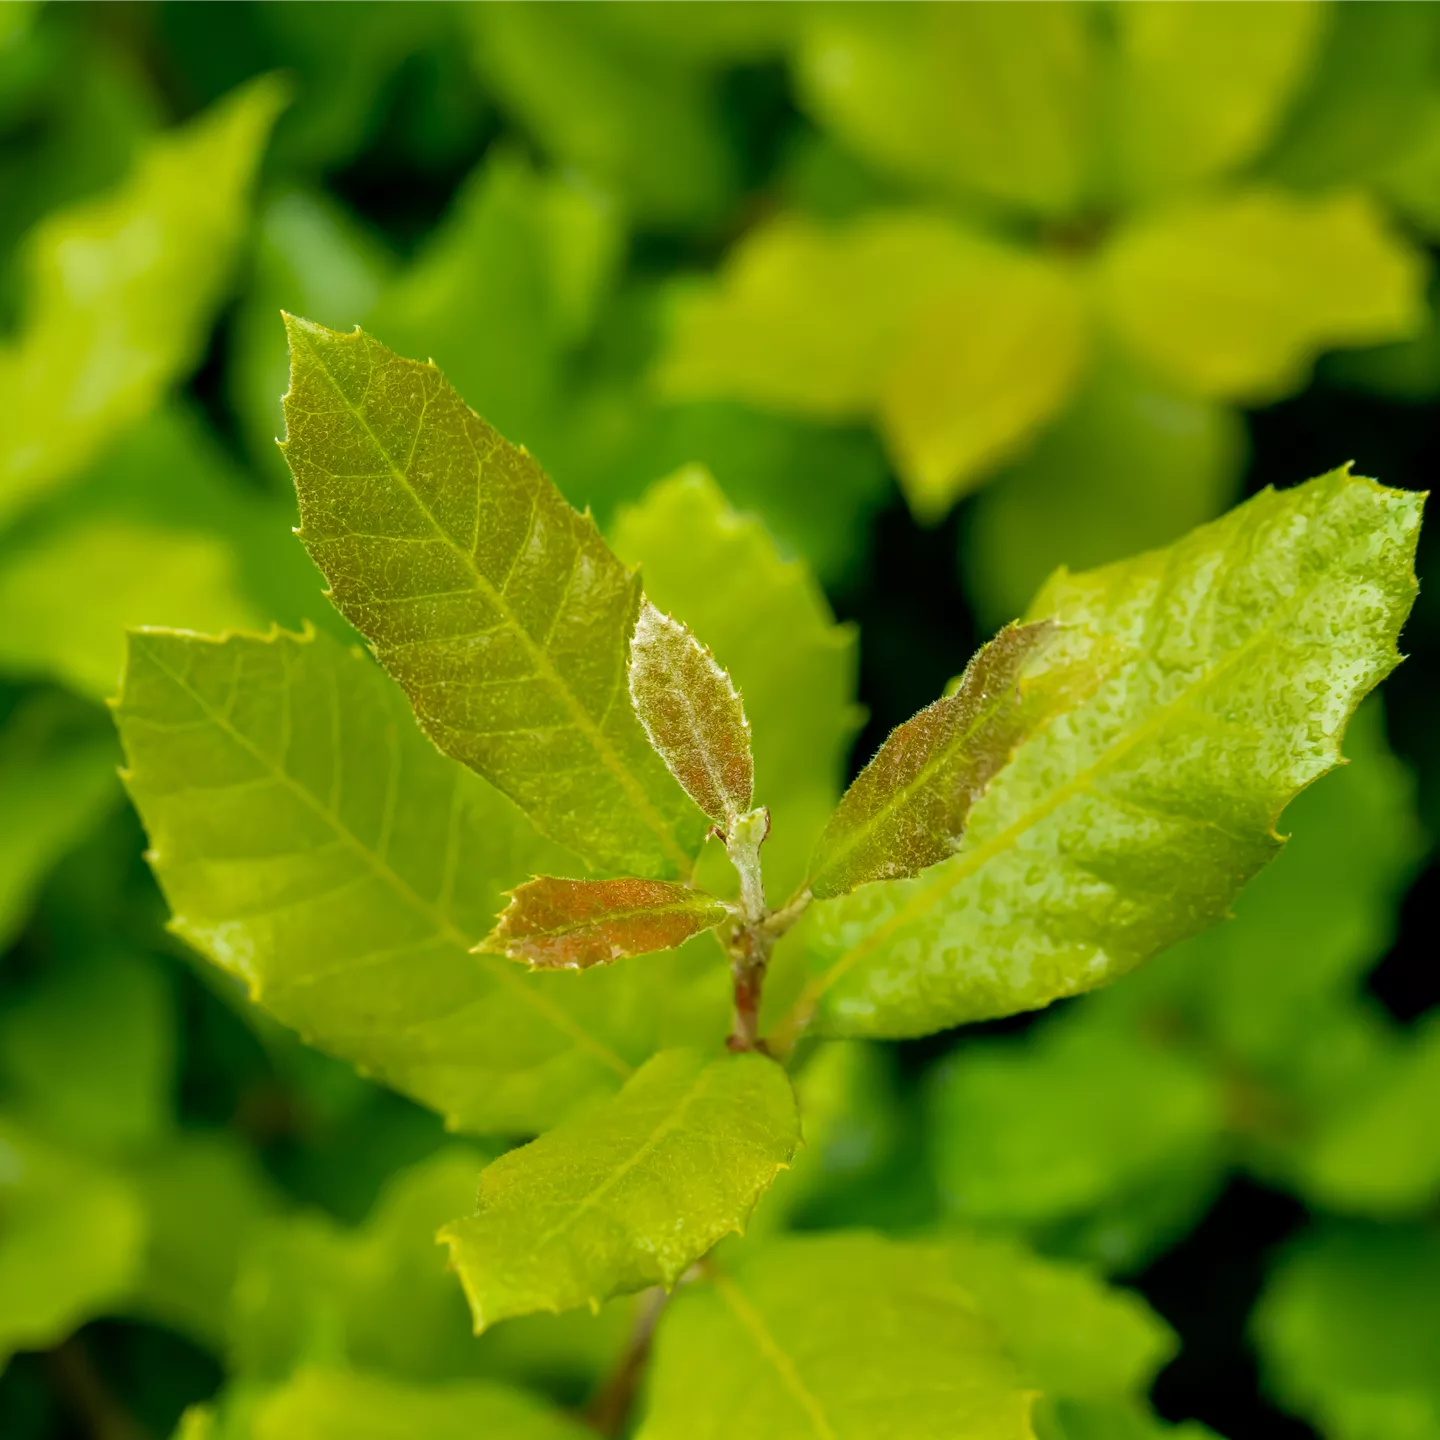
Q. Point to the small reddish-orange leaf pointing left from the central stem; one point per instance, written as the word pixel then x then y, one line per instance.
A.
pixel 571 925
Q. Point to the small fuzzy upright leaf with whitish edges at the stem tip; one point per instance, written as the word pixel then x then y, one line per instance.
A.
pixel 693 716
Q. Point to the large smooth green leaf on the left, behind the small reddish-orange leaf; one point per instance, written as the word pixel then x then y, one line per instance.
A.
pixel 315 845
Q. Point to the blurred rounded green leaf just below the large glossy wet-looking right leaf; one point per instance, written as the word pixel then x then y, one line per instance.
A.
pixel 1075 1122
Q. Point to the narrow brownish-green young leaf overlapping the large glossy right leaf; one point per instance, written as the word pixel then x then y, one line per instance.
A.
pixel 906 809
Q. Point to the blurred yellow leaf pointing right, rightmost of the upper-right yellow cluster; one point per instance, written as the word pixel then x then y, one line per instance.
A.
pixel 1235 297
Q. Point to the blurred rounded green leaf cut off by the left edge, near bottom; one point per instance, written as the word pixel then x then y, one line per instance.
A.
pixel 70 1246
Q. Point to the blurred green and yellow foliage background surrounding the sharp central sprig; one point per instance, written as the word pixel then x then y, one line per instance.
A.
pixel 948 294
